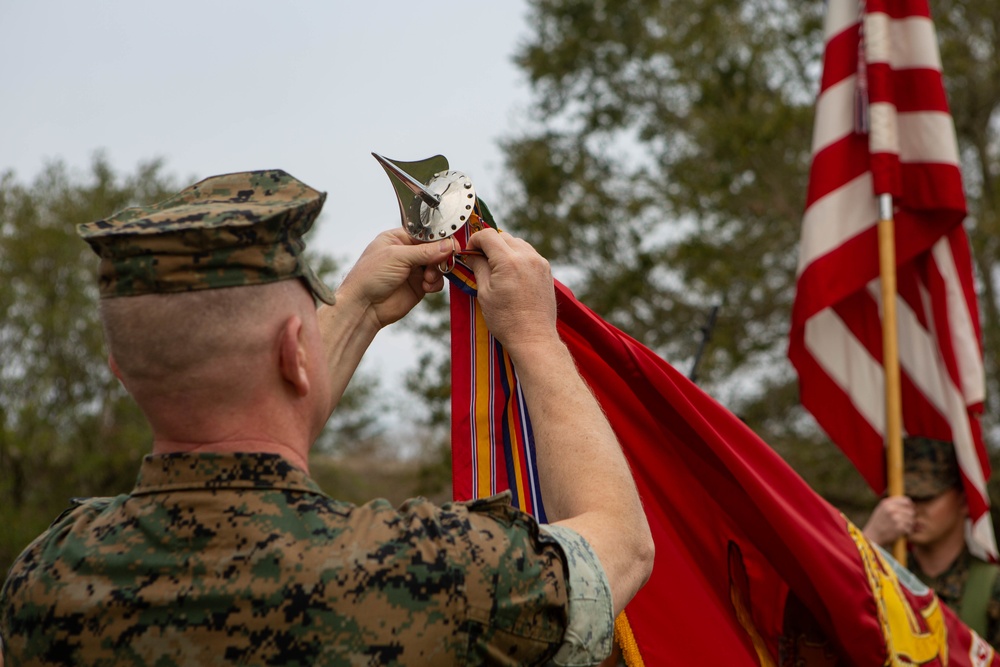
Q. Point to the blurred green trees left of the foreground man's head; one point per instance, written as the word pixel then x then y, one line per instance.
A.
pixel 67 427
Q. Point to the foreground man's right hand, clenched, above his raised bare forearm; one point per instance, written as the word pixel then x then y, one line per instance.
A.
pixel 516 291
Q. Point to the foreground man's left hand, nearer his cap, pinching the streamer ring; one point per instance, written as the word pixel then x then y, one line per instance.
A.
pixel 393 274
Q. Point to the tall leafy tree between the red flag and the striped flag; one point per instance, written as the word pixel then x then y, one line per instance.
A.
pixel 677 177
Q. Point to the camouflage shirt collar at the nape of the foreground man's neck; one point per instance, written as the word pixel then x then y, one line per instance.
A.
pixel 161 473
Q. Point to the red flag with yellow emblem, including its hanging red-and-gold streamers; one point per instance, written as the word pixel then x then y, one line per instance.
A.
pixel 752 567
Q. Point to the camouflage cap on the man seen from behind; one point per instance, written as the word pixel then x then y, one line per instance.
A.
pixel 225 231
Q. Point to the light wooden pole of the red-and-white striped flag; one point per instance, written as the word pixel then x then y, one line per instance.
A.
pixel 890 360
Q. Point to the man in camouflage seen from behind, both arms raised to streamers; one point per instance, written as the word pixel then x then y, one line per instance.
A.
pixel 227 551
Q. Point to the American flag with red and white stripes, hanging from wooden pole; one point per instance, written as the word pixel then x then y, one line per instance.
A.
pixel 886 67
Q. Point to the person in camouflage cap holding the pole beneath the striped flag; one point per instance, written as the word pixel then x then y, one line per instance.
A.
pixel 932 517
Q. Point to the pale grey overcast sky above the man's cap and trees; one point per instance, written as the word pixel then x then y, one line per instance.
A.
pixel 309 87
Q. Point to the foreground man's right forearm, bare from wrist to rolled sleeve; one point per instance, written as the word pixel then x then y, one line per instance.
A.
pixel 586 481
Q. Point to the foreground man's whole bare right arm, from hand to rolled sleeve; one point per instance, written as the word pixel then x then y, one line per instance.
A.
pixel 587 484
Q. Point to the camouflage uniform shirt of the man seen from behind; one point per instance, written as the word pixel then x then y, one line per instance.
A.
pixel 241 558
